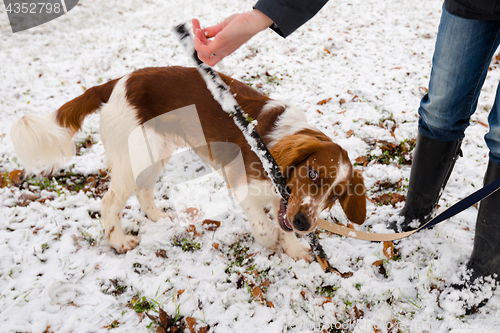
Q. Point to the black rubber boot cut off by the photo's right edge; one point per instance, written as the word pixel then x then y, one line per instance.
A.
pixel 485 258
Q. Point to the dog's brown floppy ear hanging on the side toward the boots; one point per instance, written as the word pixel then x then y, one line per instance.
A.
pixel 353 201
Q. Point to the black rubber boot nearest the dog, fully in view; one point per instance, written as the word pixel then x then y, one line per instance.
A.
pixel 432 164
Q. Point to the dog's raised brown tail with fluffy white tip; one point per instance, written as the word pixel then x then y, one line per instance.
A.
pixel 45 143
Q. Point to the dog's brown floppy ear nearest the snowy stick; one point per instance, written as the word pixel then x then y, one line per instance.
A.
pixel 293 149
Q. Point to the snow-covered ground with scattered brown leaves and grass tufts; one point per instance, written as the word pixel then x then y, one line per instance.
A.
pixel 358 70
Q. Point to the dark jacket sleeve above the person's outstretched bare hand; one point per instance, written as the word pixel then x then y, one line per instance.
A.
pixel 289 15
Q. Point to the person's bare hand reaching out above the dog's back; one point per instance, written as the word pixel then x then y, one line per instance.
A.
pixel 228 36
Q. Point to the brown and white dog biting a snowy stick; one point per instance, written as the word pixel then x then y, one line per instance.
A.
pixel 318 171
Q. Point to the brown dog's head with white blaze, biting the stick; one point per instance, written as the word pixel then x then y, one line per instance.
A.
pixel 318 173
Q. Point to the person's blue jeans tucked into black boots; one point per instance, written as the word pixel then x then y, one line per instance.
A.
pixel 463 53
